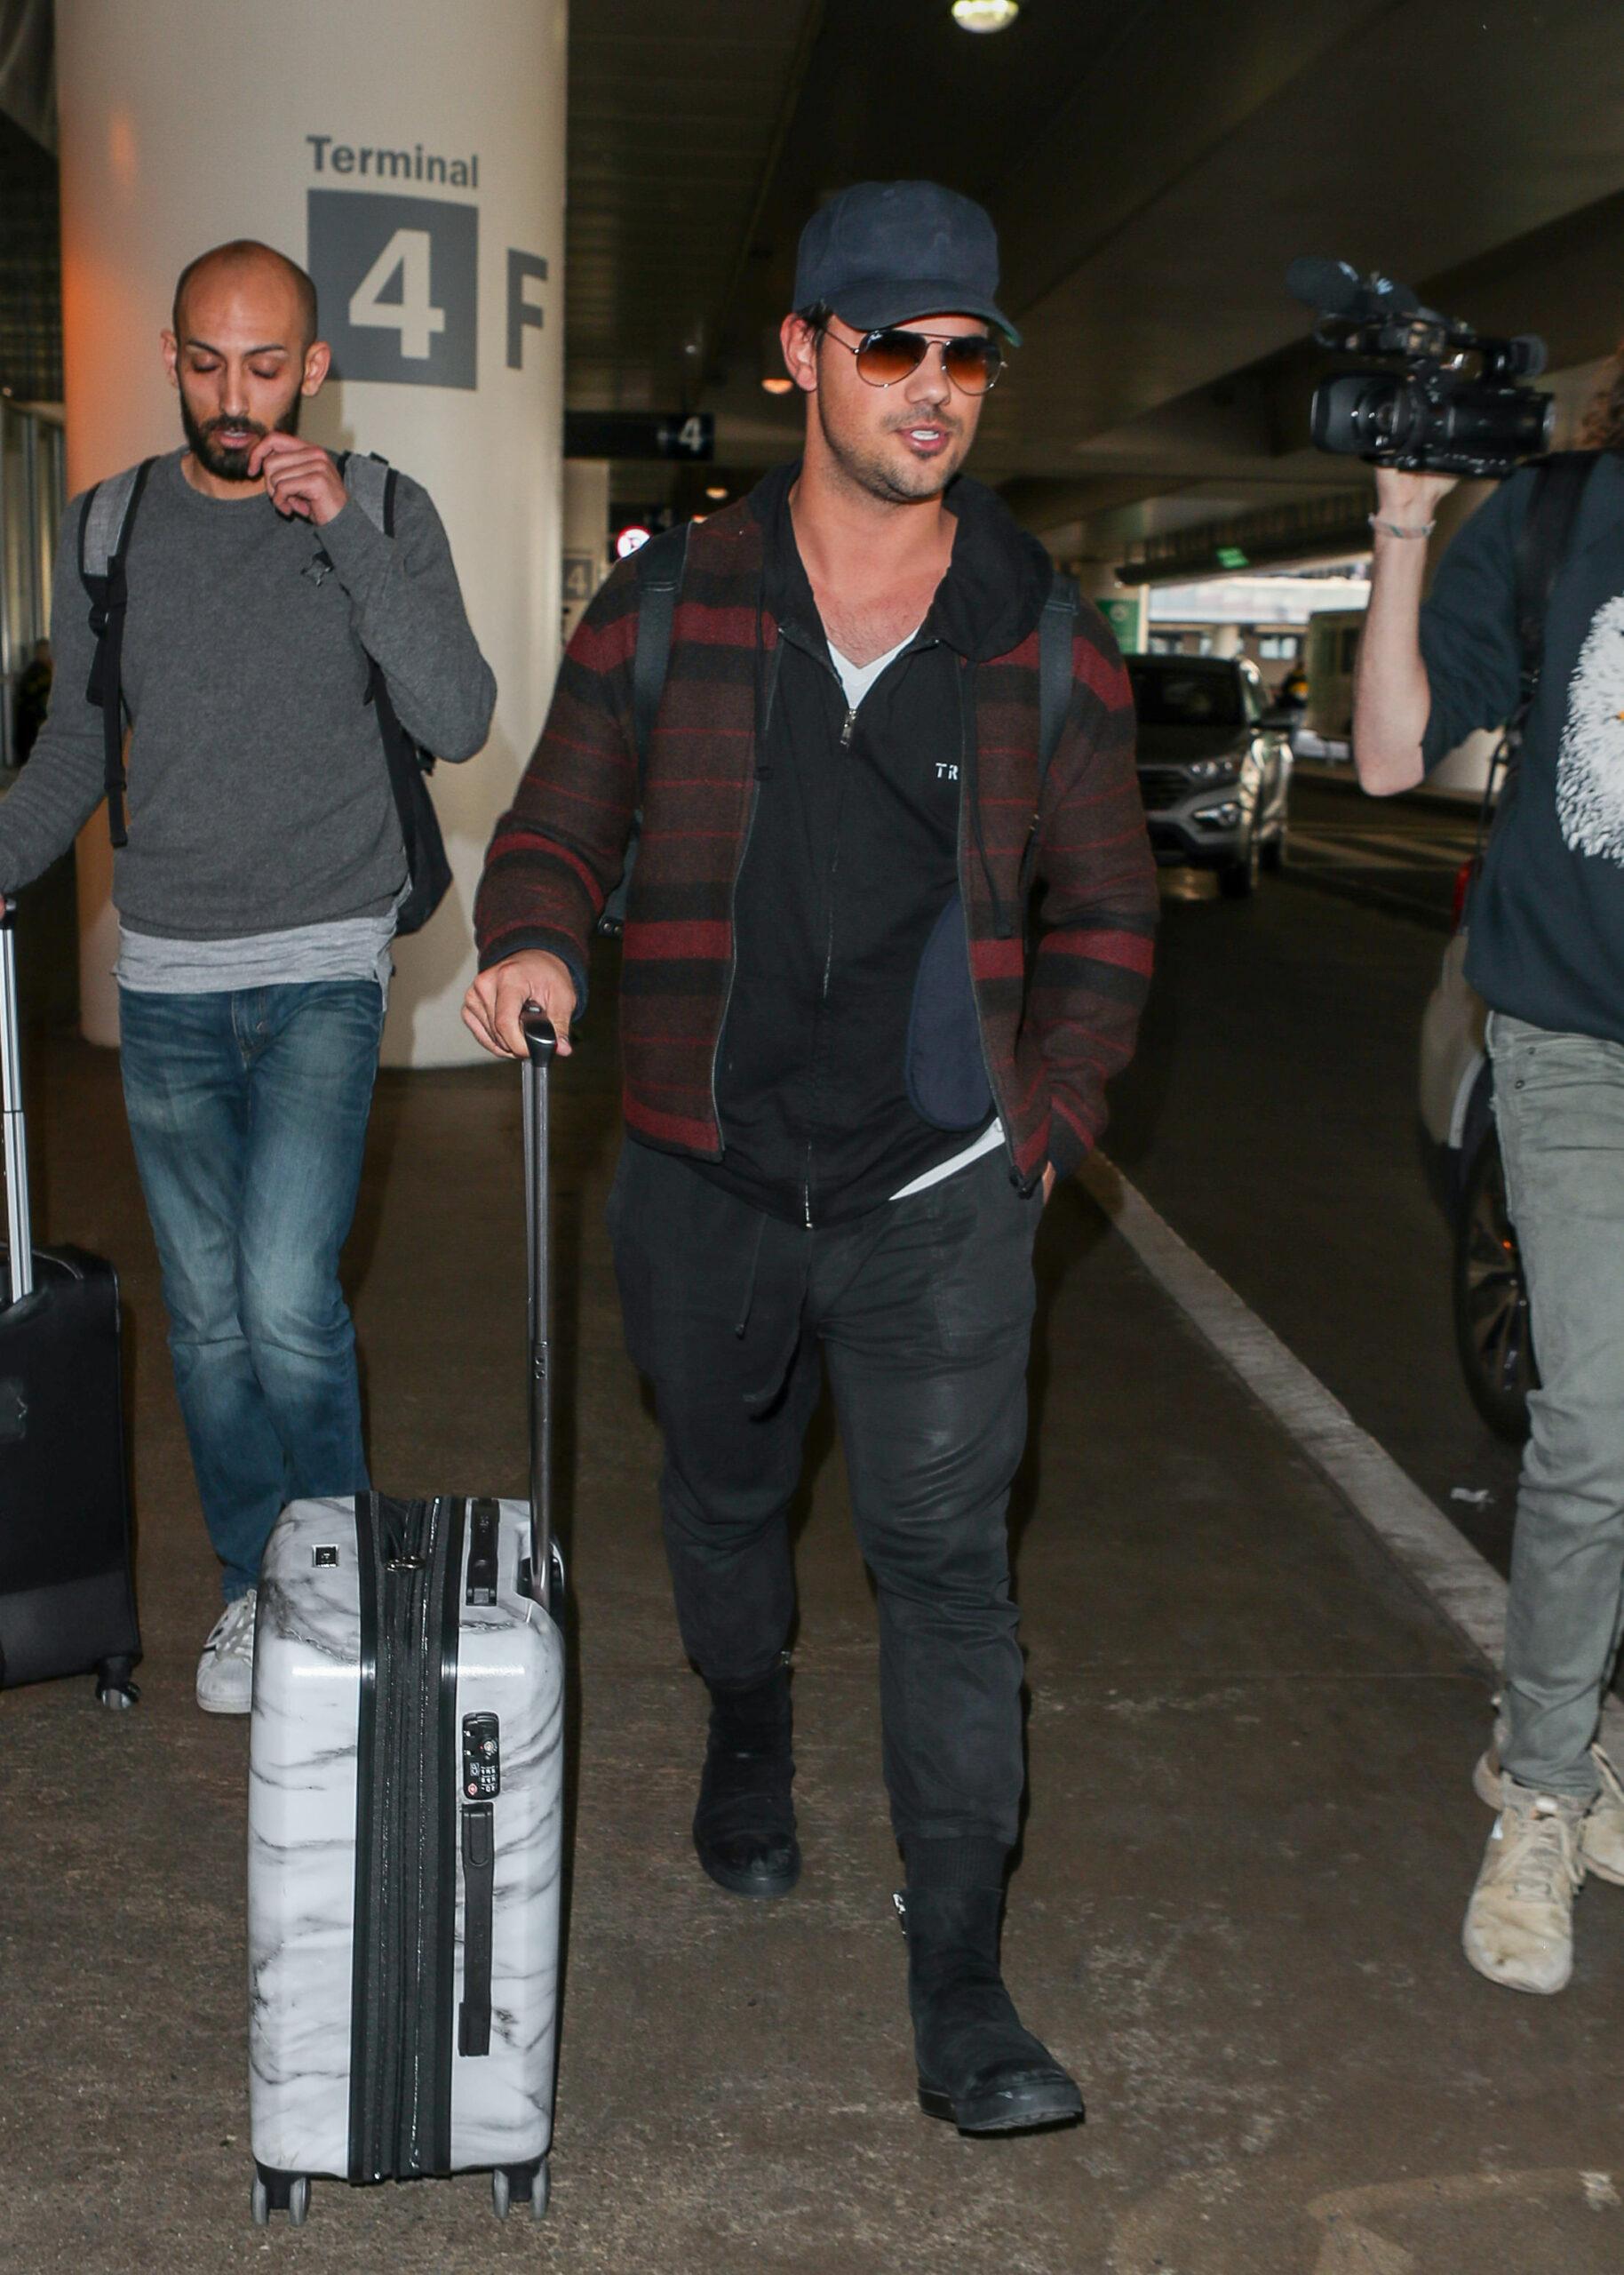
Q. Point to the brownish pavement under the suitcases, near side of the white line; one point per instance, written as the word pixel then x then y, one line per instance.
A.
pixel 1236 1914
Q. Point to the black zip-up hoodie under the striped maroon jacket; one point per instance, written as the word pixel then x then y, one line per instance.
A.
pixel 852 1054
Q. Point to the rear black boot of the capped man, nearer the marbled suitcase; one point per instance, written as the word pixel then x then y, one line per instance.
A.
pixel 745 1826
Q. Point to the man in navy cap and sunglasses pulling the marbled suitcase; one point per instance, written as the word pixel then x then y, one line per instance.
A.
pixel 854 1070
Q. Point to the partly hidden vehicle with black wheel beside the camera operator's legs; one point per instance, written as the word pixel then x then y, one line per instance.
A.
pixel 1457 1095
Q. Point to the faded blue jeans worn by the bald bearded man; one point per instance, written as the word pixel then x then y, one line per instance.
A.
pixel 249 1123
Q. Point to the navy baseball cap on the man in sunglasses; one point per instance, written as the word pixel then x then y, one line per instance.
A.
pixel 886 251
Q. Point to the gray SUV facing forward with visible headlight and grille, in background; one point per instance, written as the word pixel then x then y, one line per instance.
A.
pixel 1216 766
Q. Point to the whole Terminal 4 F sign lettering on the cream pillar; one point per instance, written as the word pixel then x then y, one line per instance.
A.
pixel 399 276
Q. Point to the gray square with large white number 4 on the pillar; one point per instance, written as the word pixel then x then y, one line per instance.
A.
pixel 397 281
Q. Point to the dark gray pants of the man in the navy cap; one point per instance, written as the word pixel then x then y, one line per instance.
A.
pixel 925 1314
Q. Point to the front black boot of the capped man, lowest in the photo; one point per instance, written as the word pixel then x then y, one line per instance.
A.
pixel 977 2067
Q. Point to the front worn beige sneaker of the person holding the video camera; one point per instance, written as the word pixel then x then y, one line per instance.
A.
pixel 1521 1921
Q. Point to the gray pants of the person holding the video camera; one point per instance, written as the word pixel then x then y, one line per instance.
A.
pixel 1559 1102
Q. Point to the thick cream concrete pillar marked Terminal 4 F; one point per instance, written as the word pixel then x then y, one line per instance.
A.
pixel 408 160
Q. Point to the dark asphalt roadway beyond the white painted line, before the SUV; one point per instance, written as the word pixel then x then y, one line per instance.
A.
pixel 1273 1116
